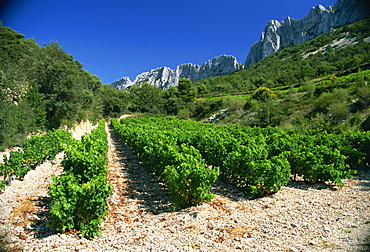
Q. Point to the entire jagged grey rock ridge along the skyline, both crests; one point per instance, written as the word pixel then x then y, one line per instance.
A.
pixel 276 36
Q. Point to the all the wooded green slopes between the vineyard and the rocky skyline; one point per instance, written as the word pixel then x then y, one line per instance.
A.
pixel 43 87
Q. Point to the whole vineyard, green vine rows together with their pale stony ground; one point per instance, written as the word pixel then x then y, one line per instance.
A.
pixel 213 176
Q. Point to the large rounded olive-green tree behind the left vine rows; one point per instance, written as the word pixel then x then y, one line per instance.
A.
pixel 70 92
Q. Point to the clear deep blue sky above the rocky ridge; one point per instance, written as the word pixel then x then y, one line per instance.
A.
pixel 116 38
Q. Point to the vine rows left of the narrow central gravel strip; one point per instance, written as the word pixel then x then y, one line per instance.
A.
pixel 79 194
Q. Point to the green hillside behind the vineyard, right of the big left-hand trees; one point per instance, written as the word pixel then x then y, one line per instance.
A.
pixel 320 84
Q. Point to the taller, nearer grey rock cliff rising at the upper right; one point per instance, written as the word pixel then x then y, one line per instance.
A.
pixel 319 20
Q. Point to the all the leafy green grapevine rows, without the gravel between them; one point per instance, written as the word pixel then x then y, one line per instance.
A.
pixel 188 157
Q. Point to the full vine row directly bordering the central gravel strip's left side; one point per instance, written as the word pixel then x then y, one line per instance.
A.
pixel 79 194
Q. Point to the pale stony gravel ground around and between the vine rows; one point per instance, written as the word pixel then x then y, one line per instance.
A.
pixel 299 217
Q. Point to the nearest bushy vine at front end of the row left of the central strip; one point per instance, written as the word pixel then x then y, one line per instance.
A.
pixel 79 205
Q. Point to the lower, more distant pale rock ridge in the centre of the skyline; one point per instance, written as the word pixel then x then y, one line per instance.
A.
pixel 164 77
